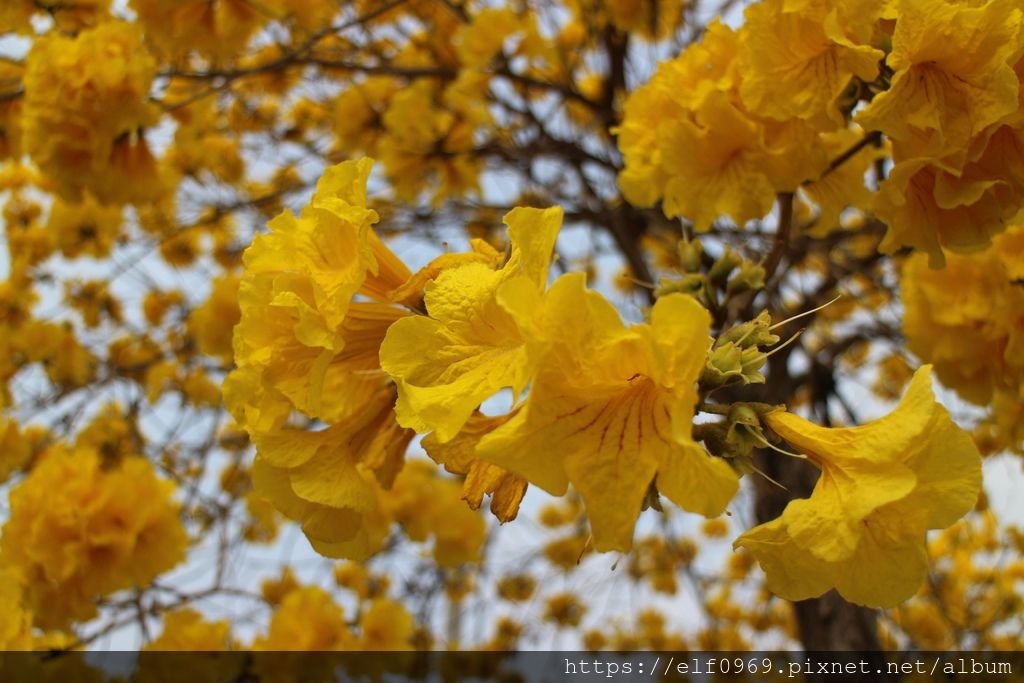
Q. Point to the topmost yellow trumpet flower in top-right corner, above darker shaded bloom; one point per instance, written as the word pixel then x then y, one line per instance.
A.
pixel 954 65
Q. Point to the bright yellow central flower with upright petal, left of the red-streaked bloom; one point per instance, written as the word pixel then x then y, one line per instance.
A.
pixel 472 345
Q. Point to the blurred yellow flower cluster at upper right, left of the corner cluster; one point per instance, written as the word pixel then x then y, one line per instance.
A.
pixel 744 115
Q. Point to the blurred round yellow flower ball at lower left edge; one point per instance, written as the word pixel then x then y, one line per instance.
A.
pixel 78 532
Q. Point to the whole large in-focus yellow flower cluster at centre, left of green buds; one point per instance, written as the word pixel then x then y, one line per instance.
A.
pixel 319 304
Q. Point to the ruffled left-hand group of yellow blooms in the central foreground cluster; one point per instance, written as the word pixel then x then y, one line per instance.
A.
pixel 304 346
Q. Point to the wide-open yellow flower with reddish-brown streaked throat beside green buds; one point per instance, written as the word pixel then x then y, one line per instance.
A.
pixel 612 409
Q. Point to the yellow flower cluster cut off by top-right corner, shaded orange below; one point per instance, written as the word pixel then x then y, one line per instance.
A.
pixel 953 111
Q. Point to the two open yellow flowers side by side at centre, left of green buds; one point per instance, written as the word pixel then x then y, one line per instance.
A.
pixel 610 407
